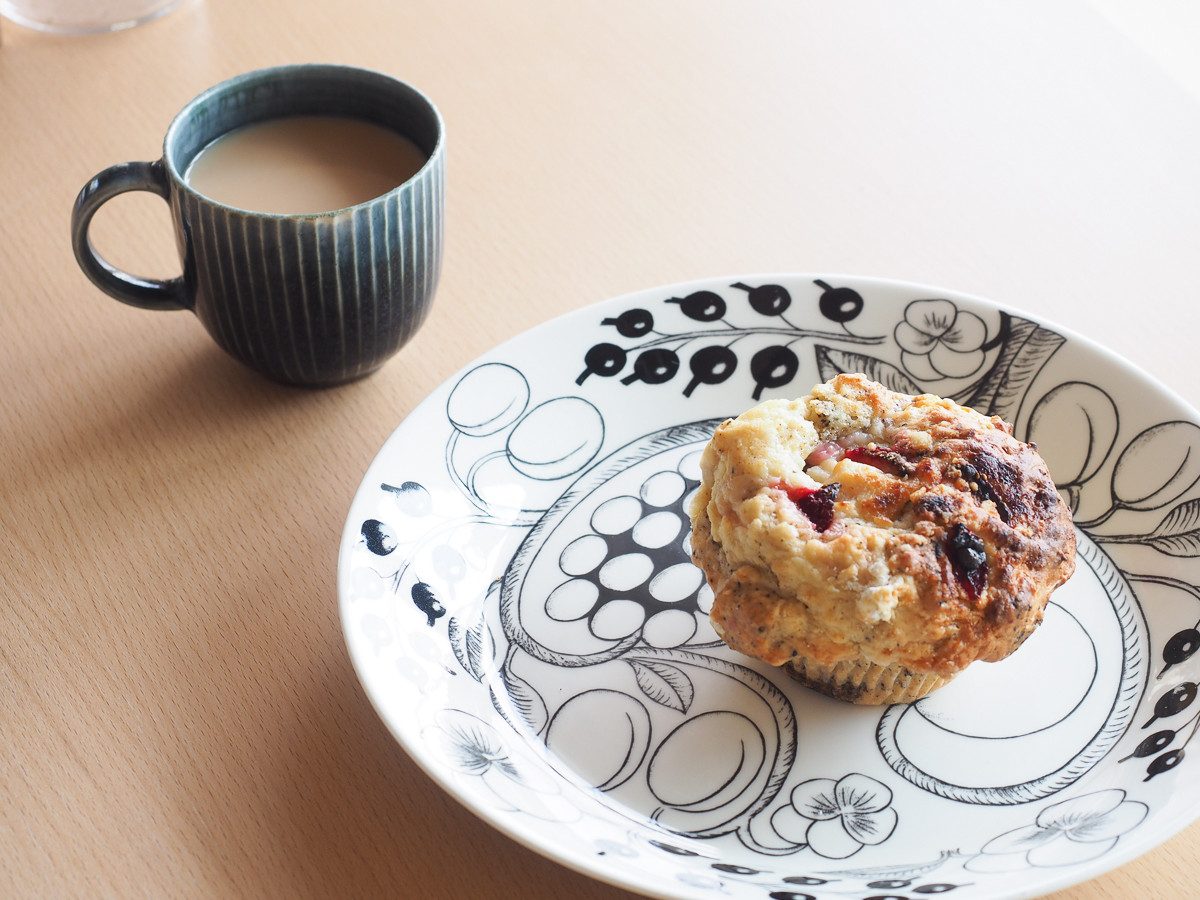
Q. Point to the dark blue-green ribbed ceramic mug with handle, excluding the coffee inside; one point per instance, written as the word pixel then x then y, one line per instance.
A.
pixel 304 299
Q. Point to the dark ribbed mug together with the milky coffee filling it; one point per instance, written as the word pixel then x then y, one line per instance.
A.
pixel 314 297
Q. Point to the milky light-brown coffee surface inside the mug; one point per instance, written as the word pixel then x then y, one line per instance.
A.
pixel 304 165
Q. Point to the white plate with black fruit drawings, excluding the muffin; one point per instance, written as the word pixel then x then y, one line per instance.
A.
pixel 518 599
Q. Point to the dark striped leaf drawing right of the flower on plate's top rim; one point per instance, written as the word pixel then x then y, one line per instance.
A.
pixel 1025 349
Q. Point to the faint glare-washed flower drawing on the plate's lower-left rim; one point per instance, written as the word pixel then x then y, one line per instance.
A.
pixel 511 782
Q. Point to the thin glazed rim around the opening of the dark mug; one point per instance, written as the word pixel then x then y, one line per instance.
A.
pixel 272 74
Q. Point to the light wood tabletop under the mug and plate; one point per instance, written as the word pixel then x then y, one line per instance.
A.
pixel 178 712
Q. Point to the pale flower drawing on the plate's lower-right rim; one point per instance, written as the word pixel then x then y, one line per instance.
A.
pixel 1076 831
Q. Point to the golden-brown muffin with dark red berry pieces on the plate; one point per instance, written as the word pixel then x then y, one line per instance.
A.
pixel 875 544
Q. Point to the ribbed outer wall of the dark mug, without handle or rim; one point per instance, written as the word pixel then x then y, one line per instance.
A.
pixel 317 299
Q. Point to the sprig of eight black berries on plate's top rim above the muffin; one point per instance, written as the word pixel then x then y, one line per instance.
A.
pixel 657 358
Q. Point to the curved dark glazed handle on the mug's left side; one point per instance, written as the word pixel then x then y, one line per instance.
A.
pixel 145 293
